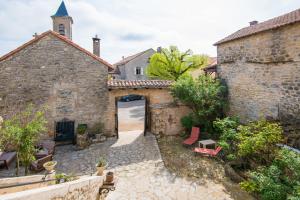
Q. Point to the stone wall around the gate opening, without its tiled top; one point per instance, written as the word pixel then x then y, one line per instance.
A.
pixel 164 114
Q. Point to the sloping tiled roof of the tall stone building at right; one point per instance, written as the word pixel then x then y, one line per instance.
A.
pixel 274 23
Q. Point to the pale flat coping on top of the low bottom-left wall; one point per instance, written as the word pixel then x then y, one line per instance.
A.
pixel 50 192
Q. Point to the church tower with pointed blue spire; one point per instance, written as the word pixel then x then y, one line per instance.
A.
pixel 62 22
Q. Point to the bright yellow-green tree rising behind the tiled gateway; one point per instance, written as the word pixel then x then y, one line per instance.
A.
pixel 170 64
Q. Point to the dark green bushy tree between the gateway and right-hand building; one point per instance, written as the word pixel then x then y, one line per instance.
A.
pixel 205 96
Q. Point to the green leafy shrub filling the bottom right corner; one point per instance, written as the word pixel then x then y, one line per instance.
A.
pixel 281 180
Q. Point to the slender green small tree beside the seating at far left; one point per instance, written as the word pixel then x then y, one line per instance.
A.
pixel 22 132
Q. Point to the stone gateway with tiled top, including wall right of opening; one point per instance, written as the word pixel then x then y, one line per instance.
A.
pixel 163 114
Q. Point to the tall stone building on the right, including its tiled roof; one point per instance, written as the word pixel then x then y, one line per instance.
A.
pixel 261 65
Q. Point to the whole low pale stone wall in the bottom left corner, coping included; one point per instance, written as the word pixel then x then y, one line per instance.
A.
pixel 84 188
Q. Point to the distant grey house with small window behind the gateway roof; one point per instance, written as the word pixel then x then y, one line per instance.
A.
pixel 133 67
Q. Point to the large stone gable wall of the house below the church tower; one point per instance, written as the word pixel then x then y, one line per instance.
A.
pixel 53 73
